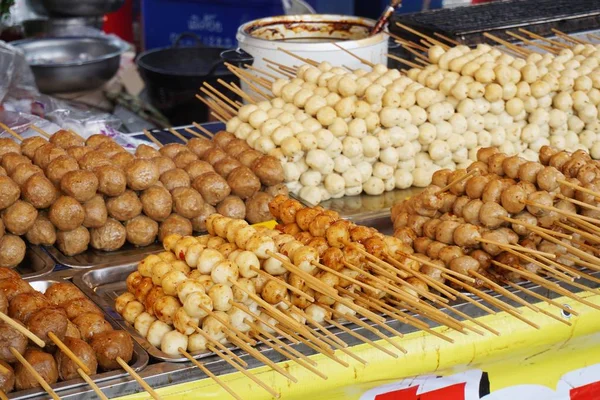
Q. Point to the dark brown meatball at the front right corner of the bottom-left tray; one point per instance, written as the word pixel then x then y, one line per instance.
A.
pixel 110 345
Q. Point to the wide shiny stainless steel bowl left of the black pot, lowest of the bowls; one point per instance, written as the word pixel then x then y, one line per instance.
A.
pixel 71 64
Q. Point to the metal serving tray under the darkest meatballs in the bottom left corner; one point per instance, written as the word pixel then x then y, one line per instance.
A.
pixel 78 387
